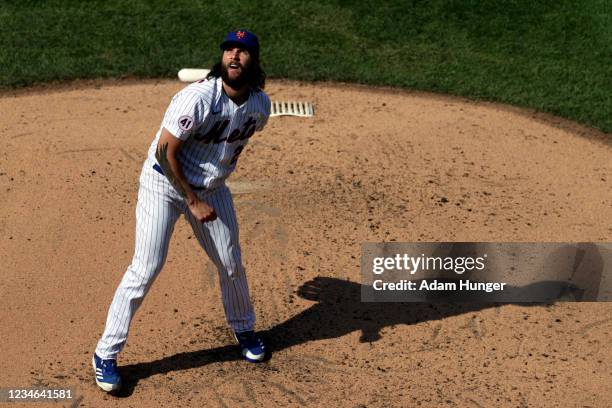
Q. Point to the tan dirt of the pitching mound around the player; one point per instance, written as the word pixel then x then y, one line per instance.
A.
pixel 371 166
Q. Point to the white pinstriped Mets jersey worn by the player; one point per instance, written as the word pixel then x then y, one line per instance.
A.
pixel 214 130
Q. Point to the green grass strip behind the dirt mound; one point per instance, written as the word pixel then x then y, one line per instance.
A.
pixel 554 56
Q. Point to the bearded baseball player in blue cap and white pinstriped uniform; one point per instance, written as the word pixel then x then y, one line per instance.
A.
pixel 202 134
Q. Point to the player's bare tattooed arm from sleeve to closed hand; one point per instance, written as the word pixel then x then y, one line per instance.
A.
pixel 168 147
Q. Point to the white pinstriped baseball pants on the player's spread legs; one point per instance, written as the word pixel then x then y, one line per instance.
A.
pixel 158 209
